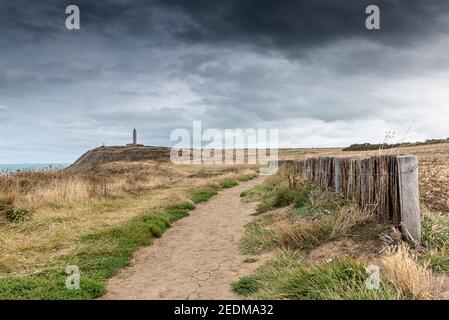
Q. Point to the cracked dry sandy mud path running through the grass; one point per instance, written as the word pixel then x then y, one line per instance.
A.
pixel 197 258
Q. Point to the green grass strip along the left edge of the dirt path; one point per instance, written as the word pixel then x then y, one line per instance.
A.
pixel 101 256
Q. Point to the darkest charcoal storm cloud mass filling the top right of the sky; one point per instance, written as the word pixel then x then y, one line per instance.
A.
pixel 294 26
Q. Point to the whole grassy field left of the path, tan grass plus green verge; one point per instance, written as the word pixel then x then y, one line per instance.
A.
pixel 51 220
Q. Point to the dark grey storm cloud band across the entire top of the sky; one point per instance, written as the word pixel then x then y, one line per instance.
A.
pixel 290 26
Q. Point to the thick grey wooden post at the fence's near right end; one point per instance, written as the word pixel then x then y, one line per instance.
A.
pixel 409 196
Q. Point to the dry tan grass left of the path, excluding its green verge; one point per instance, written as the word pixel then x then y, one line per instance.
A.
pixel 65 206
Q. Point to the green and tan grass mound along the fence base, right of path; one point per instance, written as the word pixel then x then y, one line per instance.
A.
pixel 330 220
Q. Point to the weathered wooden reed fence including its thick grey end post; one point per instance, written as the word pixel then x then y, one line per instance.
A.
pixel 386 184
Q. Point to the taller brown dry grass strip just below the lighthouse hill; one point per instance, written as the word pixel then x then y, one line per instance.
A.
pixel 33 190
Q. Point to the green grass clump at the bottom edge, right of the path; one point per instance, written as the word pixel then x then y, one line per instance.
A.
pixel 285 277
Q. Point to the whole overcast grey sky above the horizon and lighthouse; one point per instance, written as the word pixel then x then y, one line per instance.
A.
pixel 308 68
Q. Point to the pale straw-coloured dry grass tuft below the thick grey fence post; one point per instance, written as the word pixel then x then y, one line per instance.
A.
pixel 401 268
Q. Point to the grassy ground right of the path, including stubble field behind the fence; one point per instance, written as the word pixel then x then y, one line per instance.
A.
pixel 322 243
